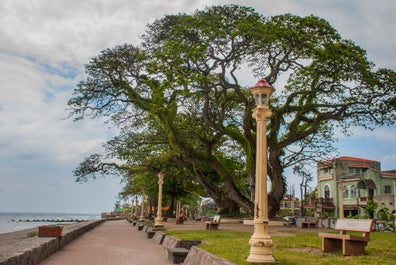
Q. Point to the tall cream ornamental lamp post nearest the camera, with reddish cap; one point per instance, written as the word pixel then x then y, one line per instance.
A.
pixel 261 242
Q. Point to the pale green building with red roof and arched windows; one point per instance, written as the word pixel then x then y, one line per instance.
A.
pixel 358 180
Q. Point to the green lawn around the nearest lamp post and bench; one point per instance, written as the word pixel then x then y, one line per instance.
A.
pixel 298 248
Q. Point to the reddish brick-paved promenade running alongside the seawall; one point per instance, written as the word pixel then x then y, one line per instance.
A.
pixel 113 242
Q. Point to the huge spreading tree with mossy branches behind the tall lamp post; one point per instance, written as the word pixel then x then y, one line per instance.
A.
pixel 187 81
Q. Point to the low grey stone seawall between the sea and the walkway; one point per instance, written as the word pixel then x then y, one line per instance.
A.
pixel 17 248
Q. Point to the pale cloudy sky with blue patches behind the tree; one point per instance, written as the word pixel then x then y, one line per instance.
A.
pixel 44 45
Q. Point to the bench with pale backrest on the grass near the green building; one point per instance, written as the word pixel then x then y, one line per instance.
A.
pixel 350 244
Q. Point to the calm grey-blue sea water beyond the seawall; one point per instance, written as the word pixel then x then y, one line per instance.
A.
pixel 10 222
